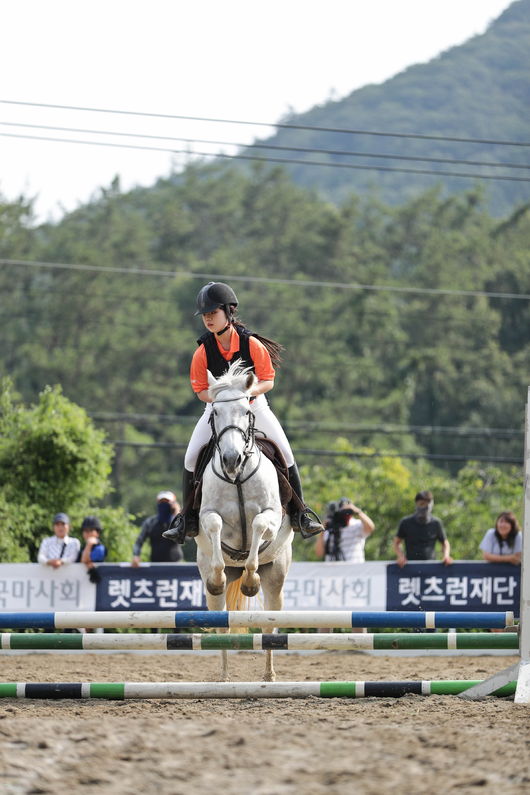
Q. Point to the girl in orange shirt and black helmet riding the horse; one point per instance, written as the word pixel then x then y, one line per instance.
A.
pixel 226 340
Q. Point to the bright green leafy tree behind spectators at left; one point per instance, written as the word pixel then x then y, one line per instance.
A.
pixel 52 458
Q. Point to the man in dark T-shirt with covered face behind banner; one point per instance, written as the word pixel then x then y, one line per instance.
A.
pixel 420 532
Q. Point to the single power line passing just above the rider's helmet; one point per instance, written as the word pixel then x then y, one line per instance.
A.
pixel 261 279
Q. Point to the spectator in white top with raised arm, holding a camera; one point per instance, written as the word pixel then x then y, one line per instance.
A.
pixel 346 530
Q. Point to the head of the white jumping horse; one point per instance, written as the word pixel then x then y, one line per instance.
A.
pixel 231 419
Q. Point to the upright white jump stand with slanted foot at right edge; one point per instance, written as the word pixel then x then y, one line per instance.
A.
pixel 520 672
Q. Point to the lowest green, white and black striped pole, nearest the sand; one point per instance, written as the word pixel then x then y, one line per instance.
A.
pixel 125 690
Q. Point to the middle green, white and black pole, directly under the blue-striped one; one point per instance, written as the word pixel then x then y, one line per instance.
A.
pixel 295 641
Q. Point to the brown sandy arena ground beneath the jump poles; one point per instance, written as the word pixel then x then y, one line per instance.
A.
pixel 414 744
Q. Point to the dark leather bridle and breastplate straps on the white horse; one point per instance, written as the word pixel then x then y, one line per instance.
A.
pixel 249 437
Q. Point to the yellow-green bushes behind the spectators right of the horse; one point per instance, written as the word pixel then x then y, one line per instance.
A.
pixel 384 487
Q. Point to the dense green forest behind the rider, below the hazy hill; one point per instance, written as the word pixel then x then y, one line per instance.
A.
pixel 405 331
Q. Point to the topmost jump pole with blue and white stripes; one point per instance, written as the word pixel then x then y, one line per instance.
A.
pixel 340 619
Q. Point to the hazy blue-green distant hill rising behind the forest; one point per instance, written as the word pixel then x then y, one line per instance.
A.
pixel 478 90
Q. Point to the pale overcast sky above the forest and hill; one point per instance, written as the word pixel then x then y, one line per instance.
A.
pixel 231 59
